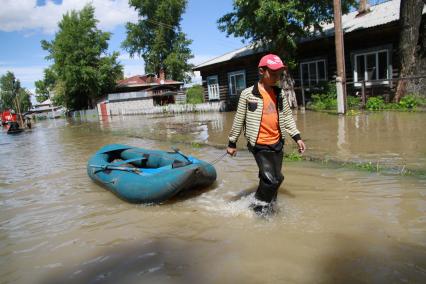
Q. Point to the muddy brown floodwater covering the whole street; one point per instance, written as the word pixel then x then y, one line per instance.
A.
pixel 335 224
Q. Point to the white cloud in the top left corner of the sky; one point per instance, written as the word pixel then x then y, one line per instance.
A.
pixel 25 15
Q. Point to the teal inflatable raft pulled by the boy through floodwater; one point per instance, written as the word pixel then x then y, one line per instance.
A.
pixel 147 176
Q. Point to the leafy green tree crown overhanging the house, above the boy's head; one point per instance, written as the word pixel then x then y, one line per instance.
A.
pixel 277 24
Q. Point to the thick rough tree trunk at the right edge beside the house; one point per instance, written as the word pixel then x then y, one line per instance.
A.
pixel 409 51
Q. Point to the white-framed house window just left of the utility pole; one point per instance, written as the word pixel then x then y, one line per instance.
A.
pixel 312 72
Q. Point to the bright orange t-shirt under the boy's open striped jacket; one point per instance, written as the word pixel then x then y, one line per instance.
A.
pixel 269 132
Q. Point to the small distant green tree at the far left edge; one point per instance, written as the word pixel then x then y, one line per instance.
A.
pixel 12 95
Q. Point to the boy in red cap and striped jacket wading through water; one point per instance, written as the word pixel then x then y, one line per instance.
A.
pixel 264 113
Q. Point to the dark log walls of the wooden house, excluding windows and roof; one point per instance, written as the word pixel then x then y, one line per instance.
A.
pixel 385 36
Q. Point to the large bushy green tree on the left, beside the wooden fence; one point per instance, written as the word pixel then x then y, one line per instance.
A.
pixel 81 64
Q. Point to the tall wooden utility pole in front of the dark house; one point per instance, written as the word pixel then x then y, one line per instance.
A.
pixel 340 58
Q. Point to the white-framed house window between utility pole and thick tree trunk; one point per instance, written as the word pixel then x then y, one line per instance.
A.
pixel 372 66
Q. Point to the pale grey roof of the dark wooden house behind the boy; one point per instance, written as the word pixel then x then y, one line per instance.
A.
pixel 380 14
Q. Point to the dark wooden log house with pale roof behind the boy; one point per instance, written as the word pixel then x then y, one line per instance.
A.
pixel 371 55
